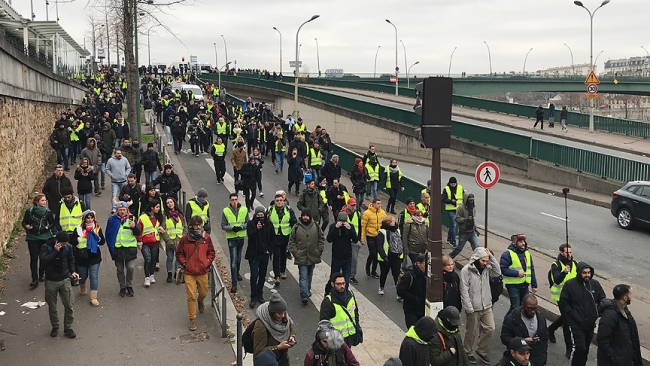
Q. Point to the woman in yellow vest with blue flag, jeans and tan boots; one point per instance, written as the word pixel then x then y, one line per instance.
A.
pixel 86 239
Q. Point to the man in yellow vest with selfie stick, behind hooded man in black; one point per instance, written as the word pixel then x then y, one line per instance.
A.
pixel 562 270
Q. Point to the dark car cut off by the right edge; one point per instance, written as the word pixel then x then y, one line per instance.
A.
pixel 631 205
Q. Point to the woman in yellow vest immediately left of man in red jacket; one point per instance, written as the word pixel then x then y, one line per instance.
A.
pixel 175 227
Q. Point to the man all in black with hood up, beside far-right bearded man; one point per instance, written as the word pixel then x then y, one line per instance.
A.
pixel 579 303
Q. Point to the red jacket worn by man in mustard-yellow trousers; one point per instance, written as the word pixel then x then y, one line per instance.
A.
pixel 201 260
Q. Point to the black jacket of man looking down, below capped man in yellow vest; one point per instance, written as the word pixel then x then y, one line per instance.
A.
pixel 513 326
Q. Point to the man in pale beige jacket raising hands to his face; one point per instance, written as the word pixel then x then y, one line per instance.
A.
pixel 476 297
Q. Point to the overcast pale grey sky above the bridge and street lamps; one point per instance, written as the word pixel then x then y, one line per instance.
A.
pixel 349 32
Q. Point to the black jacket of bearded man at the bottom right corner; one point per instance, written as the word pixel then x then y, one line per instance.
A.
pixel 618 337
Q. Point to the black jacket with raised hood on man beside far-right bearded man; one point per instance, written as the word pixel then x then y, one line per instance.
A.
pixel 579 300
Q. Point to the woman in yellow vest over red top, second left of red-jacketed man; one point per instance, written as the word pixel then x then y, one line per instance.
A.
pixel 149 239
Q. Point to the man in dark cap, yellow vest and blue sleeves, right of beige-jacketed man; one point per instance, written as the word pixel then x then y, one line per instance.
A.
pixel 518 271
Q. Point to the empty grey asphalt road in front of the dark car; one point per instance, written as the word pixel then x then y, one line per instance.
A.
pixel 593 232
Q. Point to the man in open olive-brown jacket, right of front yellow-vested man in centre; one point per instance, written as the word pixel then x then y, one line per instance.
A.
pixel 306 243
